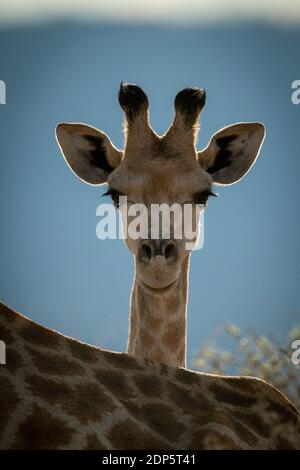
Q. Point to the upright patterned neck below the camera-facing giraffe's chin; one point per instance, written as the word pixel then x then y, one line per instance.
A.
pixel 158 322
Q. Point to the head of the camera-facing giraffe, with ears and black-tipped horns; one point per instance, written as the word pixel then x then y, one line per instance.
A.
pixel 164 169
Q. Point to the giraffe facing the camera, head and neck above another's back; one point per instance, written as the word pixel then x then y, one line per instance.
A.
pixel 155 169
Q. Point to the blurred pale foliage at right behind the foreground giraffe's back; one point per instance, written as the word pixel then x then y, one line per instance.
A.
pixel 229 352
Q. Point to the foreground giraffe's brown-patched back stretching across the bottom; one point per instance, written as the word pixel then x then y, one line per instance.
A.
pixel 59 393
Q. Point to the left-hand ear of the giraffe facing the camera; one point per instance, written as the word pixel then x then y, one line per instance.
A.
pixel 88 152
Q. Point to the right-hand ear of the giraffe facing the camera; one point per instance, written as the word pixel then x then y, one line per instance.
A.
pixel 232 151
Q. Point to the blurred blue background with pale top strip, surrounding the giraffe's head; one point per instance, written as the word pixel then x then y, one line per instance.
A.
pixel 63 61
